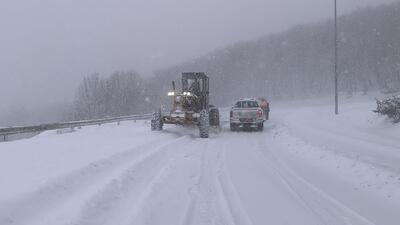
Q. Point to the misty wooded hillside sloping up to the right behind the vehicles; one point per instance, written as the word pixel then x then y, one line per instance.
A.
pixel 299 62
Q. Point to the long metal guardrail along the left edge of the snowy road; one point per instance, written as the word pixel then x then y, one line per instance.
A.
pixel 5 132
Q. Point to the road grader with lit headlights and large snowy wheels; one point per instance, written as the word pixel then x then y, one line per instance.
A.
pixel 190 106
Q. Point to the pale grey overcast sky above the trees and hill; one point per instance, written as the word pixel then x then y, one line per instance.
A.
pixel 47 46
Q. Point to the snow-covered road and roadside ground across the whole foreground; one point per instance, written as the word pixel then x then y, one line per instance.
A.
pixel 307 167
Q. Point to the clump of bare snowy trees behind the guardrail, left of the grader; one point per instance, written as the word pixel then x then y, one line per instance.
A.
pixel 122 93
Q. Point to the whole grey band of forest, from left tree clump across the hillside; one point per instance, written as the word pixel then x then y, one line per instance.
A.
pixel 296 63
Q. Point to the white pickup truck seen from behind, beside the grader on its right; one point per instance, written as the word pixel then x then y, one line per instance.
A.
pixel 247 113
